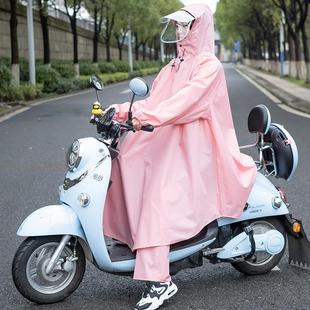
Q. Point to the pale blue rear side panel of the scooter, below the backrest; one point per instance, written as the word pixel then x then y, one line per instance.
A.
pixel 259 204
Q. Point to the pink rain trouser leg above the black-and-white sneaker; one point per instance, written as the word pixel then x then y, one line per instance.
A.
pixel 152 264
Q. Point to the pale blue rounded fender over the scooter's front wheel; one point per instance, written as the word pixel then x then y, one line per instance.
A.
pixel 52 220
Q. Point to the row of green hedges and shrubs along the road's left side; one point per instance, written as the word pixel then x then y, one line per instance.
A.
pixel 58 78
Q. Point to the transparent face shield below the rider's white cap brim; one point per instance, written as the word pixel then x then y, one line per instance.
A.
pixel 174 31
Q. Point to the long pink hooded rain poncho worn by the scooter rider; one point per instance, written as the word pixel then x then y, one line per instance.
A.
pixel 169 184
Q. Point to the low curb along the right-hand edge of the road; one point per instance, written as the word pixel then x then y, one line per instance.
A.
pixel 285 97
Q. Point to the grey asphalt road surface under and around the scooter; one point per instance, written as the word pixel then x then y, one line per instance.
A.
pixel 32 165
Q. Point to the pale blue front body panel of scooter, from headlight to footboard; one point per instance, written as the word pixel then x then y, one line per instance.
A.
pixel 91 179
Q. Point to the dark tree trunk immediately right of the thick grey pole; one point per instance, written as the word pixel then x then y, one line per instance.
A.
pixel 43 12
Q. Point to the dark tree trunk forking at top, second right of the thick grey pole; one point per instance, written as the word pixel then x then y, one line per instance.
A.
pixel 74 6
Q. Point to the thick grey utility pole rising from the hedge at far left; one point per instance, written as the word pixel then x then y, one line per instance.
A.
pixel 31 55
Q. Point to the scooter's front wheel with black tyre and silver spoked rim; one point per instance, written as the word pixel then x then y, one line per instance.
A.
pixel 29 269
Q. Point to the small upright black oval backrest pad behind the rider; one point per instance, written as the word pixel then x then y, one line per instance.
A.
pixel 259 119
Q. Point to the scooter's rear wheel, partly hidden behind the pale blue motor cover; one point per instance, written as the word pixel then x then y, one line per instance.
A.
pixel 262 262
